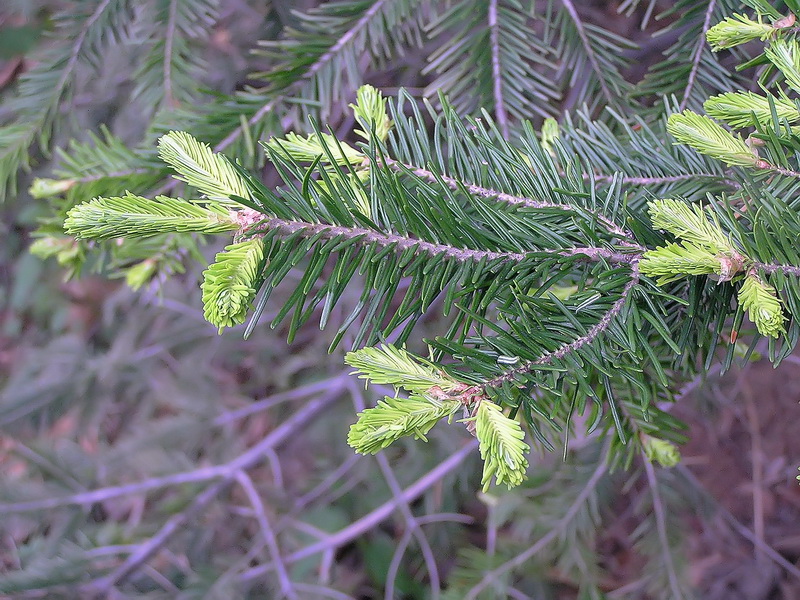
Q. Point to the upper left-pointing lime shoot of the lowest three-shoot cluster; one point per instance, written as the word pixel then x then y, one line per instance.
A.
pixel 399 368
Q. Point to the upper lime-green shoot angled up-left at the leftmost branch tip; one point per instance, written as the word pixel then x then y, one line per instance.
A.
pixel 201 168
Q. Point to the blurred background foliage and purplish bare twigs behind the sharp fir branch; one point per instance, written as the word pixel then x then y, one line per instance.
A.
pixel 144 456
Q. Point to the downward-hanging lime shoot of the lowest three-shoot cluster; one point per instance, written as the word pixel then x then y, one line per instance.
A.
pixel 502 446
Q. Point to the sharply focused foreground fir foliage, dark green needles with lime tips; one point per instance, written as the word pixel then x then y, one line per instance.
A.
pixel 496 244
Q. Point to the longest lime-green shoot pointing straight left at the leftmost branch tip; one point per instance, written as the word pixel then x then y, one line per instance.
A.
pixel 134 216
